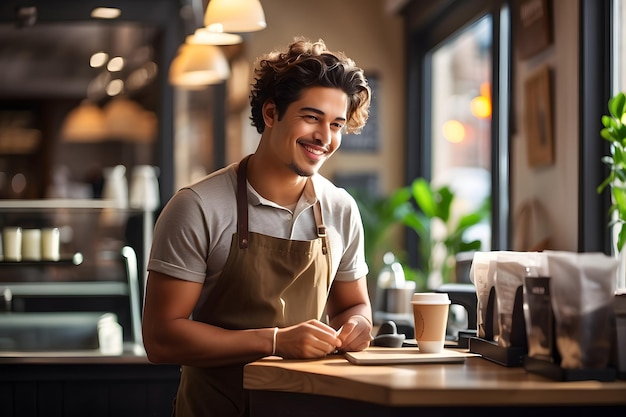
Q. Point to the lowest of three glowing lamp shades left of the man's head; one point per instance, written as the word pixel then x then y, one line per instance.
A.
pixel 197 66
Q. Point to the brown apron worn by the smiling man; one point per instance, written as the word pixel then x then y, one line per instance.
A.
pixel 266 282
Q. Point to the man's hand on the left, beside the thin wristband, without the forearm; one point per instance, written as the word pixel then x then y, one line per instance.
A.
pixel 308 340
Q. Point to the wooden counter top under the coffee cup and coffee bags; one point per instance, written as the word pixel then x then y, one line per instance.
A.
pixel 476 382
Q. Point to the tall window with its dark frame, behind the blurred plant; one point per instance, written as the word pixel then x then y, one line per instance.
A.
pixel 459 81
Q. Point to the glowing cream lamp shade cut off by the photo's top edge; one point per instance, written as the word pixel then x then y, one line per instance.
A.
pixel 234 16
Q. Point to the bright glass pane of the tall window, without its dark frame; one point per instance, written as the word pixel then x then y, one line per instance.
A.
pixel 461 120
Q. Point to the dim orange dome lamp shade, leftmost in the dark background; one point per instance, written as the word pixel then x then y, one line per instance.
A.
pixel 85 123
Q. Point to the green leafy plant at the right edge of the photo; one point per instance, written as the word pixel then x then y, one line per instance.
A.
pixel 614 131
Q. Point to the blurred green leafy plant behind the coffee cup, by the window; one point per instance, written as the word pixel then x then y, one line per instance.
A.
pixel 419 207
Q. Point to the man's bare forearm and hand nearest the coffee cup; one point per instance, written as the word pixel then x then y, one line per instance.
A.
pixel 349 309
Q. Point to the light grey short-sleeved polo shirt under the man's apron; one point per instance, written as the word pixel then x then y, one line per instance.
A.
pixel 193 233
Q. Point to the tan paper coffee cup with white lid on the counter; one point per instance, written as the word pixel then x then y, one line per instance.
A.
pixel 430 314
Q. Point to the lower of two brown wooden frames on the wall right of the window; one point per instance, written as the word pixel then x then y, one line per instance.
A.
pixel 538 108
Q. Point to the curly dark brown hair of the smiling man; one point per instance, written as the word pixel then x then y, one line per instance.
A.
pixel 281 76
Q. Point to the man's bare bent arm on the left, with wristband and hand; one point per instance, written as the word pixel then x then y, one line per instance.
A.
pixel 171 337
